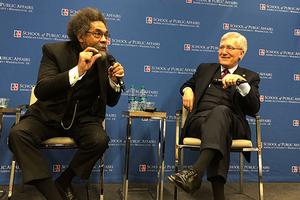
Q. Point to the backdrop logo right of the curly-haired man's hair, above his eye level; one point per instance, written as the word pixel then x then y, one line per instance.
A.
pixel 172 22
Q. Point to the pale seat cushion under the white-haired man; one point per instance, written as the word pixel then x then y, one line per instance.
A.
pixel 236 144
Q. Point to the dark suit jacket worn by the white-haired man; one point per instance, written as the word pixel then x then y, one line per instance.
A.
pixel 248 105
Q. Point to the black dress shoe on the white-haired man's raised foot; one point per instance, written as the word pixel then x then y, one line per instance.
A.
pixel 188 180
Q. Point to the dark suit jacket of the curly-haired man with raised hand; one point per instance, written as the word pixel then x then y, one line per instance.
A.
pixel 53 87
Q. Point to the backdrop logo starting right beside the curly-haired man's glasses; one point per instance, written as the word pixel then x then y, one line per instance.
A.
pixel 134 43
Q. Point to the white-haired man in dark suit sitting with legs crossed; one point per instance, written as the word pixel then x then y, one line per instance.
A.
pixel 218 97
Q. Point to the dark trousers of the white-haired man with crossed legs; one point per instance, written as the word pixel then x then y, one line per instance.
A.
pixel 215 128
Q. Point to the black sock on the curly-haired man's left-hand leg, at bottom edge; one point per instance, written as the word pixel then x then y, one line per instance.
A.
pixel 47 188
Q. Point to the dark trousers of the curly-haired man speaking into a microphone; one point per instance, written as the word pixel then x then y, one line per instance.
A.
pixel 25 137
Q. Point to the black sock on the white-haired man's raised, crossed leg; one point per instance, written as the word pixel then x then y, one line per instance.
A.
pixel 205 158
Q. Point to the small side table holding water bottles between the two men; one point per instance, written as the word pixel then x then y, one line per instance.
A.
pixel 161 116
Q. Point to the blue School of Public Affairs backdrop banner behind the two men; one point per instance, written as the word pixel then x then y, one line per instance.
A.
pixel 160 43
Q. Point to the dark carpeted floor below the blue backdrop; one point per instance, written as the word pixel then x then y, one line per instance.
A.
pixel 272 191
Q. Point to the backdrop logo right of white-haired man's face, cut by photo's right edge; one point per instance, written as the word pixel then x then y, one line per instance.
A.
pixel 278 53
